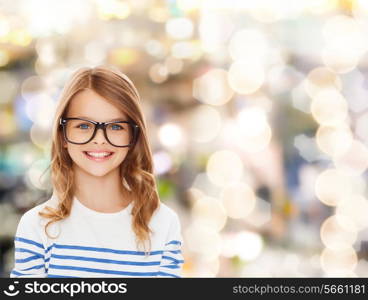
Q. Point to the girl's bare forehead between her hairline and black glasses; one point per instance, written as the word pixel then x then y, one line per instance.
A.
pixel 89 104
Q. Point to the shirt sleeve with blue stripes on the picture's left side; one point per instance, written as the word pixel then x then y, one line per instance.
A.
pixel 29 250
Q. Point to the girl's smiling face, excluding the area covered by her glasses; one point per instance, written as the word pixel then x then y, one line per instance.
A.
pixel 89 105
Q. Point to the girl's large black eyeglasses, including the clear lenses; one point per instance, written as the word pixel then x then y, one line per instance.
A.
pixel 81 131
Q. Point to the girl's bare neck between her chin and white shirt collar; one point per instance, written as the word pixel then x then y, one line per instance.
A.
pixel 104 194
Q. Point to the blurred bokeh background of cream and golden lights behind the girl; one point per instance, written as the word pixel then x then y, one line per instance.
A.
pixel 257 114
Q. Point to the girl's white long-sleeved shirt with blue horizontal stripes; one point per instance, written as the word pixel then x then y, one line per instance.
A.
pixel 94 244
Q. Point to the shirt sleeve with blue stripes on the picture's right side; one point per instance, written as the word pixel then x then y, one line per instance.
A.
pixel 172 258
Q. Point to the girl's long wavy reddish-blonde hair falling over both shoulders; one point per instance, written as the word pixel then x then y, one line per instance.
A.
pixel 136 171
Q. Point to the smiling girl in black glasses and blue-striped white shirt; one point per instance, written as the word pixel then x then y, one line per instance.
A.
pixel 104 218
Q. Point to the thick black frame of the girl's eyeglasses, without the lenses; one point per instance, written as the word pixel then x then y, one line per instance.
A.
pixel 102 125
